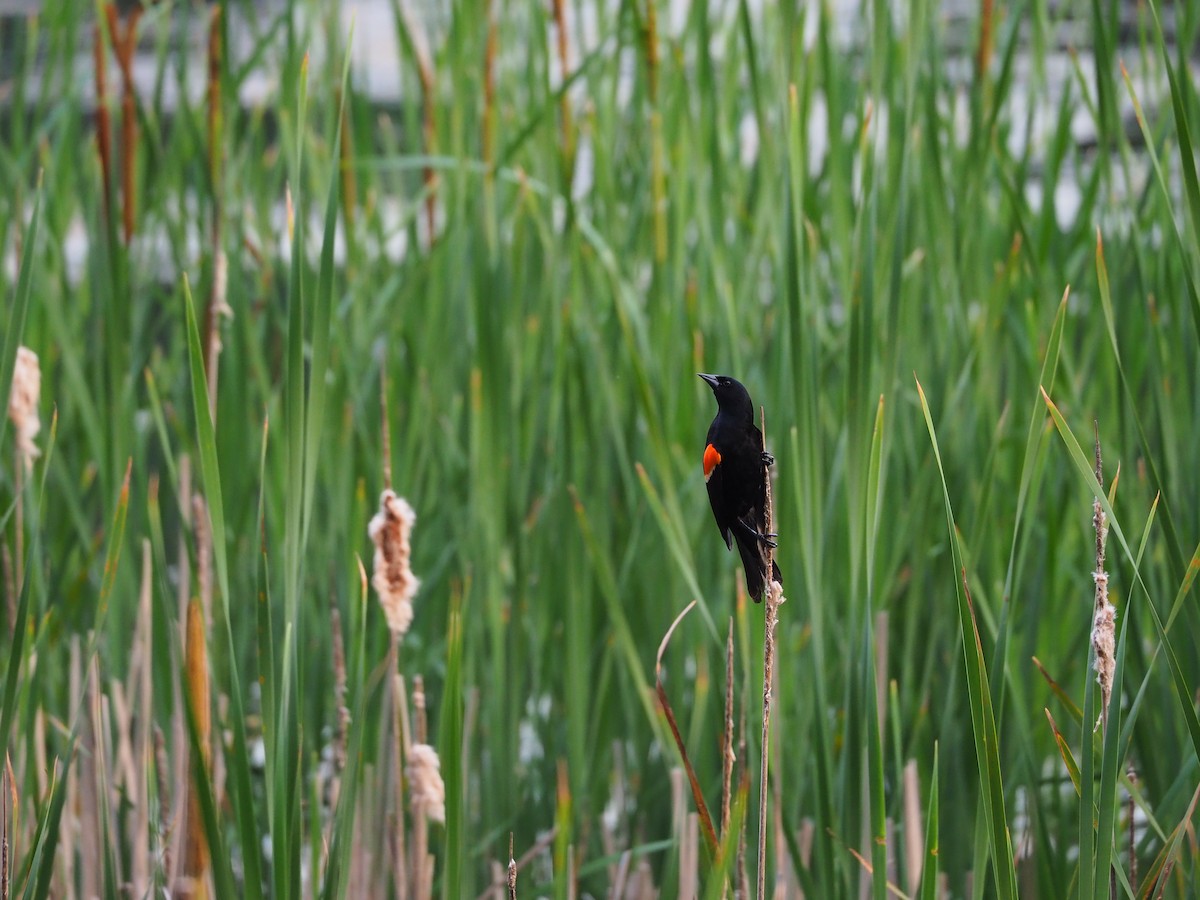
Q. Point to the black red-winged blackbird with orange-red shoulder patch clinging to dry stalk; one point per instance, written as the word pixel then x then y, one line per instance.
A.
pixel 736 476
